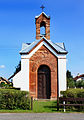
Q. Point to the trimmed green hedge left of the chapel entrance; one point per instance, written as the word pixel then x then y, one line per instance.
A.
pixel 14 99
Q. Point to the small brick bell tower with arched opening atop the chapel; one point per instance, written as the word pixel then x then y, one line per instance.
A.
pixel 42 23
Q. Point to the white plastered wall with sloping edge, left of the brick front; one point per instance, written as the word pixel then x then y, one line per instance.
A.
pixel 21 79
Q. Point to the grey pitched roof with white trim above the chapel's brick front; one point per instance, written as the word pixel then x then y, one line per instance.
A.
pixel 50 45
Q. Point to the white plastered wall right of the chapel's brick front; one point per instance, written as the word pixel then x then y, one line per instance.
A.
pixel 62 74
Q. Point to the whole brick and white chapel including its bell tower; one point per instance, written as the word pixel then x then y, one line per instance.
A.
pixel 43 64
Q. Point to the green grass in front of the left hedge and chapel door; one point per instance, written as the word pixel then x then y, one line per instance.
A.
pixel 38 107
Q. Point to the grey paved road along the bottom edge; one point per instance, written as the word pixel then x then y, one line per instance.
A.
pixel 41 116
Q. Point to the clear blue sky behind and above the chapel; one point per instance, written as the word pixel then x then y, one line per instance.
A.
pixel 17 26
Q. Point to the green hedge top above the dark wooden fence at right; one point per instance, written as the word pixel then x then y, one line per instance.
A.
pixel 75 93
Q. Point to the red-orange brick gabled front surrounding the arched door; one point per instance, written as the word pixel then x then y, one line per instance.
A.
pixel 35 62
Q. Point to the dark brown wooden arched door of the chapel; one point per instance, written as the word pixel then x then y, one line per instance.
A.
pixel 44 82
